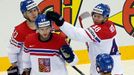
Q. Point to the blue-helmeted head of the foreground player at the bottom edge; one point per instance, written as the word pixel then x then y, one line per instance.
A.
pixel 104 64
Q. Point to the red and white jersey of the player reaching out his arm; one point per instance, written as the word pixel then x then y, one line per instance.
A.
pixel 100 38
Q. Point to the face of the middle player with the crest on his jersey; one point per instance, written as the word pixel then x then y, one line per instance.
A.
pixel 45 32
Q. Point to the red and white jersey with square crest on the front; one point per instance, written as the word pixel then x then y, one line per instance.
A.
pixel 44 57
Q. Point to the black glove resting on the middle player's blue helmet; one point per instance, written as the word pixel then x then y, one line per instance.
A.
pixel 57 18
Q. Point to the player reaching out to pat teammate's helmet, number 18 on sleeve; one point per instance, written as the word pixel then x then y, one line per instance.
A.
pixel 100 36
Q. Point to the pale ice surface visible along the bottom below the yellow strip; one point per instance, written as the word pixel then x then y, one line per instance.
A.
pixel 128 66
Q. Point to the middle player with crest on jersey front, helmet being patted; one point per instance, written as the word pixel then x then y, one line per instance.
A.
pixel 45 52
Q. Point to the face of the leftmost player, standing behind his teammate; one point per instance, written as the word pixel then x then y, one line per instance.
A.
pixel 32 14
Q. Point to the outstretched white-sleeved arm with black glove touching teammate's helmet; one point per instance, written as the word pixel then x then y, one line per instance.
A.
pixel 72 32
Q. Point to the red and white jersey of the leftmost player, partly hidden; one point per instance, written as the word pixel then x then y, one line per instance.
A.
pixel 16 43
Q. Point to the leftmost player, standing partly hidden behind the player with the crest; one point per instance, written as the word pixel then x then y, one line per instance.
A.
pixel 30 11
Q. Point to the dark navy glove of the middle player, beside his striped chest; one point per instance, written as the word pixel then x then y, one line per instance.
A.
pixel 67 53
